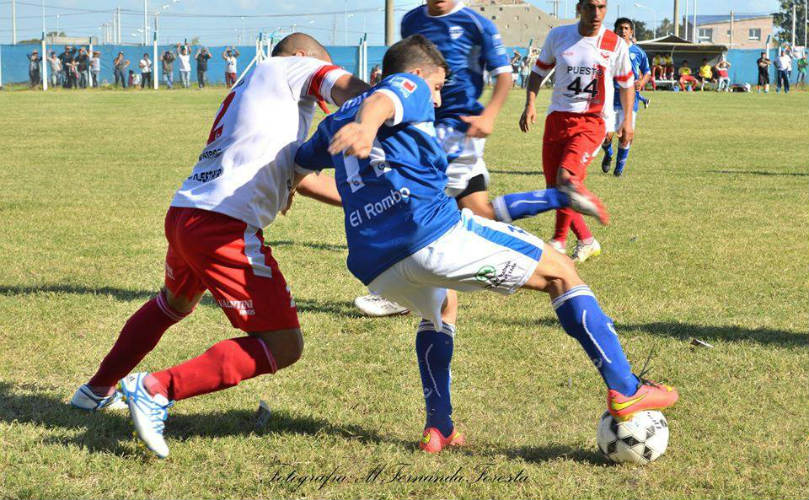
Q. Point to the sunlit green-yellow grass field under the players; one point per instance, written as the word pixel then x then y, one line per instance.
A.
pixel 710 240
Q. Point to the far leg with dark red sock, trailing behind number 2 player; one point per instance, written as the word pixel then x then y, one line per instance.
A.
pixel 143 330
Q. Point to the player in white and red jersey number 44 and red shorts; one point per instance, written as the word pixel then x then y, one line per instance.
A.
pixel 587 57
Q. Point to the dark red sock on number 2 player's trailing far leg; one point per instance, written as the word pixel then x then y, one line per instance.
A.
pixel 137 338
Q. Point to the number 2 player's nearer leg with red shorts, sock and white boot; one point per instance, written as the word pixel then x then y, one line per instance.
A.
pixel 230 259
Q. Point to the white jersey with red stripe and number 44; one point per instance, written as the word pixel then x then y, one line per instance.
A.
pixel 585 69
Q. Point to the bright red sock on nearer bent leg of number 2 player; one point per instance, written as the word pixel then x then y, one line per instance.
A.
pixel 224 365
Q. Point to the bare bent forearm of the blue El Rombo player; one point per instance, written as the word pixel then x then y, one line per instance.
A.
pixel 357 137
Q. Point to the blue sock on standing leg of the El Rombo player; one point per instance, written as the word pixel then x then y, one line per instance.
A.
pixel 434 352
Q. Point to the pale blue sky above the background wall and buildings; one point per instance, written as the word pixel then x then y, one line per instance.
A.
pixel 333 22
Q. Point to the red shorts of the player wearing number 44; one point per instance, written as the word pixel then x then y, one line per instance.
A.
pixel 571 141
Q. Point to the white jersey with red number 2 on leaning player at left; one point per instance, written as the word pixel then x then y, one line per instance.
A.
pixel 247 167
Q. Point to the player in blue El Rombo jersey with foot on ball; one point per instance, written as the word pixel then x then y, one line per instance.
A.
pixel 408 240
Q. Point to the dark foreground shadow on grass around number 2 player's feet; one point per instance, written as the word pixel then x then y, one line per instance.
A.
pixel 105 432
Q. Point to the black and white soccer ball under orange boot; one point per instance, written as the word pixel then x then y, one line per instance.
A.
pixel 639 440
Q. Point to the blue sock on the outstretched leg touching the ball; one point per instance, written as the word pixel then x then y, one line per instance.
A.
pixel 582 319
